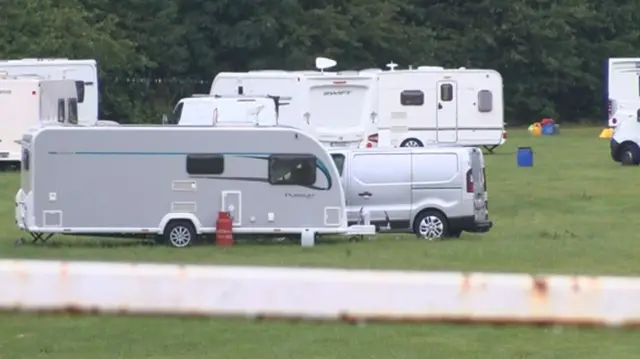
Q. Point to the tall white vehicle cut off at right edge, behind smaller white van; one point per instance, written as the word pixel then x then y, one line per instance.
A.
pixel 622 88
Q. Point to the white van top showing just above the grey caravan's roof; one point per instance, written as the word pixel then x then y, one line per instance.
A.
pixel 203 110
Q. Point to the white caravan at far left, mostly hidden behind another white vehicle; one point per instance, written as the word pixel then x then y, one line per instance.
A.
pixel 84 72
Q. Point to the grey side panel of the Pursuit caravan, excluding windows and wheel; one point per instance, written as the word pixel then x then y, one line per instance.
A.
pixel 106 179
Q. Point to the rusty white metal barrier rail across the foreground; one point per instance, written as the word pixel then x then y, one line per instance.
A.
pixel 325 294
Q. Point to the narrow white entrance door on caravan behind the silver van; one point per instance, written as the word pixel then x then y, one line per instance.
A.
pixel 447 112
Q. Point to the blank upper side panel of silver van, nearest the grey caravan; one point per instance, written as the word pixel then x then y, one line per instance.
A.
pixel 382 168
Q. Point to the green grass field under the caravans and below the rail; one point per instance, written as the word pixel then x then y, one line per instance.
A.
pixel 571 213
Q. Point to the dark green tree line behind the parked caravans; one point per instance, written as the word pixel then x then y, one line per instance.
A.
pixel 152 52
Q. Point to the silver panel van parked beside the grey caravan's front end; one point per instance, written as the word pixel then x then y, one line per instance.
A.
pixel 434 192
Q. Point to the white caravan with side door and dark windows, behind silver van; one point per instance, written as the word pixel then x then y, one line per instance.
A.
pixel 433 105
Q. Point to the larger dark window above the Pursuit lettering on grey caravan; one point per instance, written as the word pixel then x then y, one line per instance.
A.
pixel 291 169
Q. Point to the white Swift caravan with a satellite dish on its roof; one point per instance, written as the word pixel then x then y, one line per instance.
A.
pixel 339 109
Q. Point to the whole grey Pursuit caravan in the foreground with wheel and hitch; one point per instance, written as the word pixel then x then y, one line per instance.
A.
pixel 171 186
